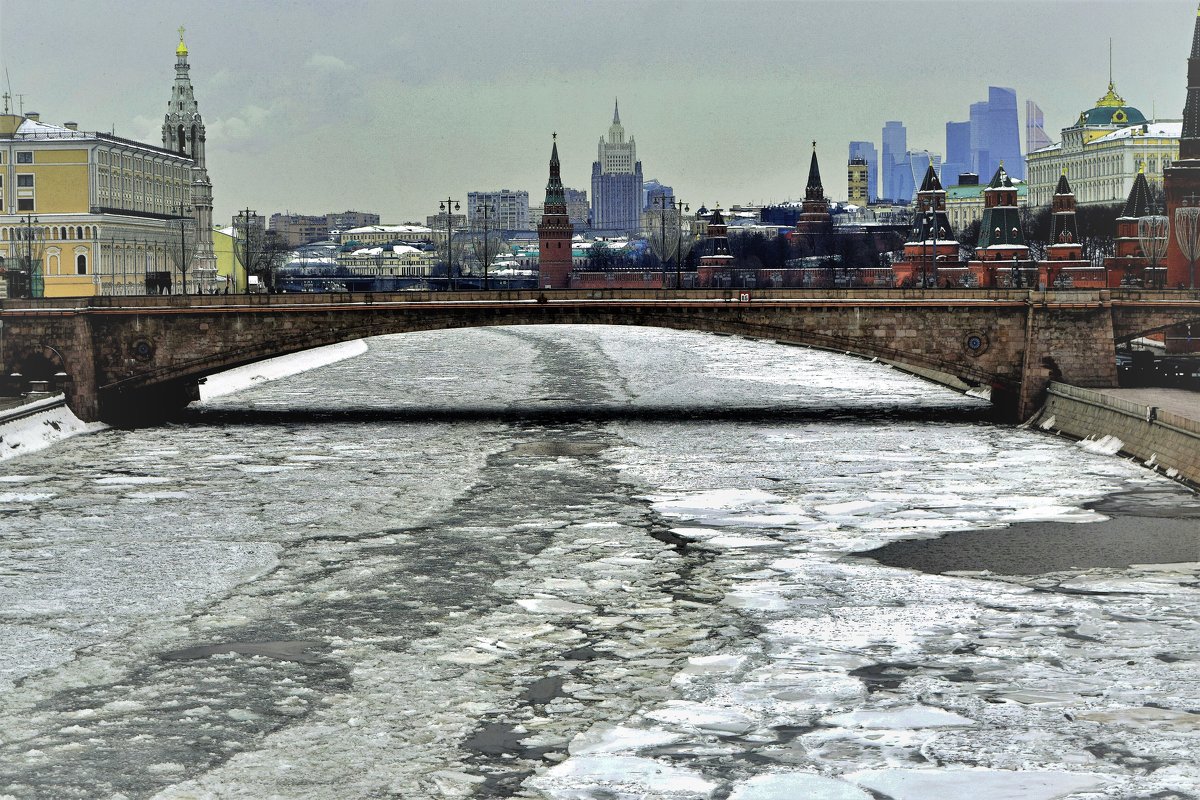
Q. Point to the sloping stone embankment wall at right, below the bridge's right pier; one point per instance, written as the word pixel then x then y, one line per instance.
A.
pixel 1165 441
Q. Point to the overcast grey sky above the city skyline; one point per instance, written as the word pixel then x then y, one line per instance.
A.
pixel 388 107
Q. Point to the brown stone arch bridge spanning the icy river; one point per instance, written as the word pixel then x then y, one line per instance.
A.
pixel 136 359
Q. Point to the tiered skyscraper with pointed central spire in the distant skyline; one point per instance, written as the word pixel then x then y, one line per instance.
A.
pixel 617 182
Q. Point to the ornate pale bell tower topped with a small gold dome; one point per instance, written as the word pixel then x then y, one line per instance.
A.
pixel 183 133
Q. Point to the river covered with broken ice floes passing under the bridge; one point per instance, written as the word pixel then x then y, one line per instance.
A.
pixel 607 564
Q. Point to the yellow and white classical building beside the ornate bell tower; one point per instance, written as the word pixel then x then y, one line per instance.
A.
pixel 95 213
